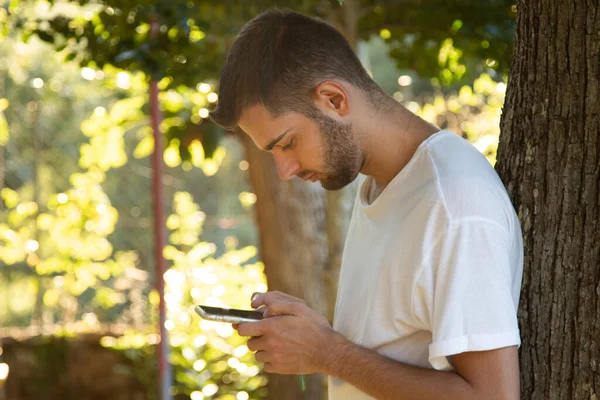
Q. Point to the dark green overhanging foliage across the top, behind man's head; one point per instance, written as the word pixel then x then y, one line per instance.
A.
pixel 447 41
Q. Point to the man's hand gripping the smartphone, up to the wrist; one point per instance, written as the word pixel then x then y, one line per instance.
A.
pixel 292 339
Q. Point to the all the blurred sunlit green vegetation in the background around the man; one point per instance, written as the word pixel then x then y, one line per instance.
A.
pixel 75 218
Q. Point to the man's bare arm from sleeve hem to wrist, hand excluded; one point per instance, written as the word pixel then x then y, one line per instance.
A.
pixel 486 375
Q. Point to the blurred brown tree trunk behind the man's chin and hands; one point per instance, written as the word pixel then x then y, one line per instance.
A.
pixel 302 229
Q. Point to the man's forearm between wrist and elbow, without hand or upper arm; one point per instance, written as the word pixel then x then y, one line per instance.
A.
pixel 383 378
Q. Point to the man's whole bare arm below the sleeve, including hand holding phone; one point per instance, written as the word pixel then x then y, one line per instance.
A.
pixel 293 339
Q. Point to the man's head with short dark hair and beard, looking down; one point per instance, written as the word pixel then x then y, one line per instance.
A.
pixel 289 82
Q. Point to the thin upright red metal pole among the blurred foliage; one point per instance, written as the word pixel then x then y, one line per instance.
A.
pixel 160 234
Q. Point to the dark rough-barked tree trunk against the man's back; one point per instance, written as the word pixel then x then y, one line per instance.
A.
pixel 549 159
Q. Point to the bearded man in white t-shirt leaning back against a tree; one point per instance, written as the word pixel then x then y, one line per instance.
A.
pixel 432 266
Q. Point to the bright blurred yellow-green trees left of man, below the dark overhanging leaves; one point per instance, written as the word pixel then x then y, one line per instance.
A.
pixel 69 239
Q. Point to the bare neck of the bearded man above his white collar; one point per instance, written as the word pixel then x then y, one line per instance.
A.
pixel 390 142
